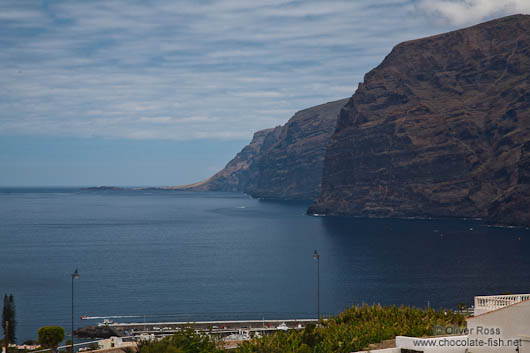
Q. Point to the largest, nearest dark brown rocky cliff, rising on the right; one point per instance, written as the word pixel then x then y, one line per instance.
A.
pixel 440 128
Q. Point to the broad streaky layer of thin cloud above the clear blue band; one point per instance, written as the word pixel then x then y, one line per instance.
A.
pixel 187 69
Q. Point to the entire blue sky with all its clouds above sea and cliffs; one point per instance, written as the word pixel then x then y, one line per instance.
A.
pixel 157 93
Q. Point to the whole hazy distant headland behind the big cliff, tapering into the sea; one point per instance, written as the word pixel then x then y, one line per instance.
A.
pixel 283 163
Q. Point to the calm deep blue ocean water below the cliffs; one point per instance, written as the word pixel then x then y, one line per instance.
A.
pixel 189 256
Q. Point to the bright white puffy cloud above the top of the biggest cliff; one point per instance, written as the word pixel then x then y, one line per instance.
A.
pixel 468 12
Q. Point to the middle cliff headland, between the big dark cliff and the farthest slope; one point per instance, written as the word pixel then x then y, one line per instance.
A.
pixel 292 167
